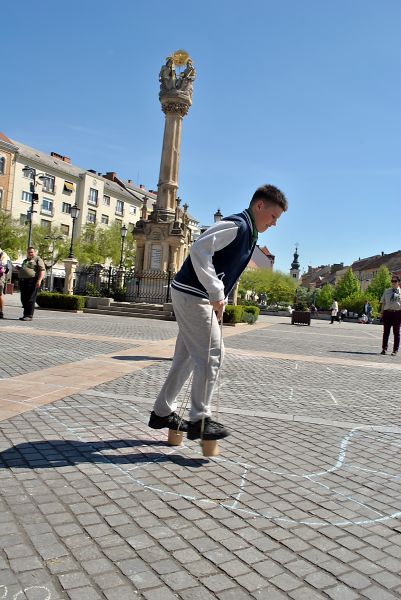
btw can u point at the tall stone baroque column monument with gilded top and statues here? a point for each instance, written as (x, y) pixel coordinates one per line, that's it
(163, 237)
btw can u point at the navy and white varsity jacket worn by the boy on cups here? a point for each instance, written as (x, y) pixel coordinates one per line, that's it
(217, 258)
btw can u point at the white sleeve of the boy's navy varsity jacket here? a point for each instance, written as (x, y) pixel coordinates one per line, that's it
(215, 238)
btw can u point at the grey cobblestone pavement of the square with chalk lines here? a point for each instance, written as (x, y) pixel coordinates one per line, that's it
(304, 501)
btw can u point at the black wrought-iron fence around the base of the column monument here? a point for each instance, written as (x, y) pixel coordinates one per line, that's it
(123, 286)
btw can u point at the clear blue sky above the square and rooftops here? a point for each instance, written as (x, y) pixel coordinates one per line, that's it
(302, 94)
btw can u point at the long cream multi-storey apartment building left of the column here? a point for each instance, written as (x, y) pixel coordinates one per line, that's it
(60, 185)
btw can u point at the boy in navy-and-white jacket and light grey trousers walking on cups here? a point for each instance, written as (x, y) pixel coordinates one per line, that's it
(199, 291)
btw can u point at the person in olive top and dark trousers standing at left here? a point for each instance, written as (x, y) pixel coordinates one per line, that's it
(30, 277)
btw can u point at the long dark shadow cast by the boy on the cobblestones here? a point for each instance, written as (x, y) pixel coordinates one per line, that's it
(63, 453)
